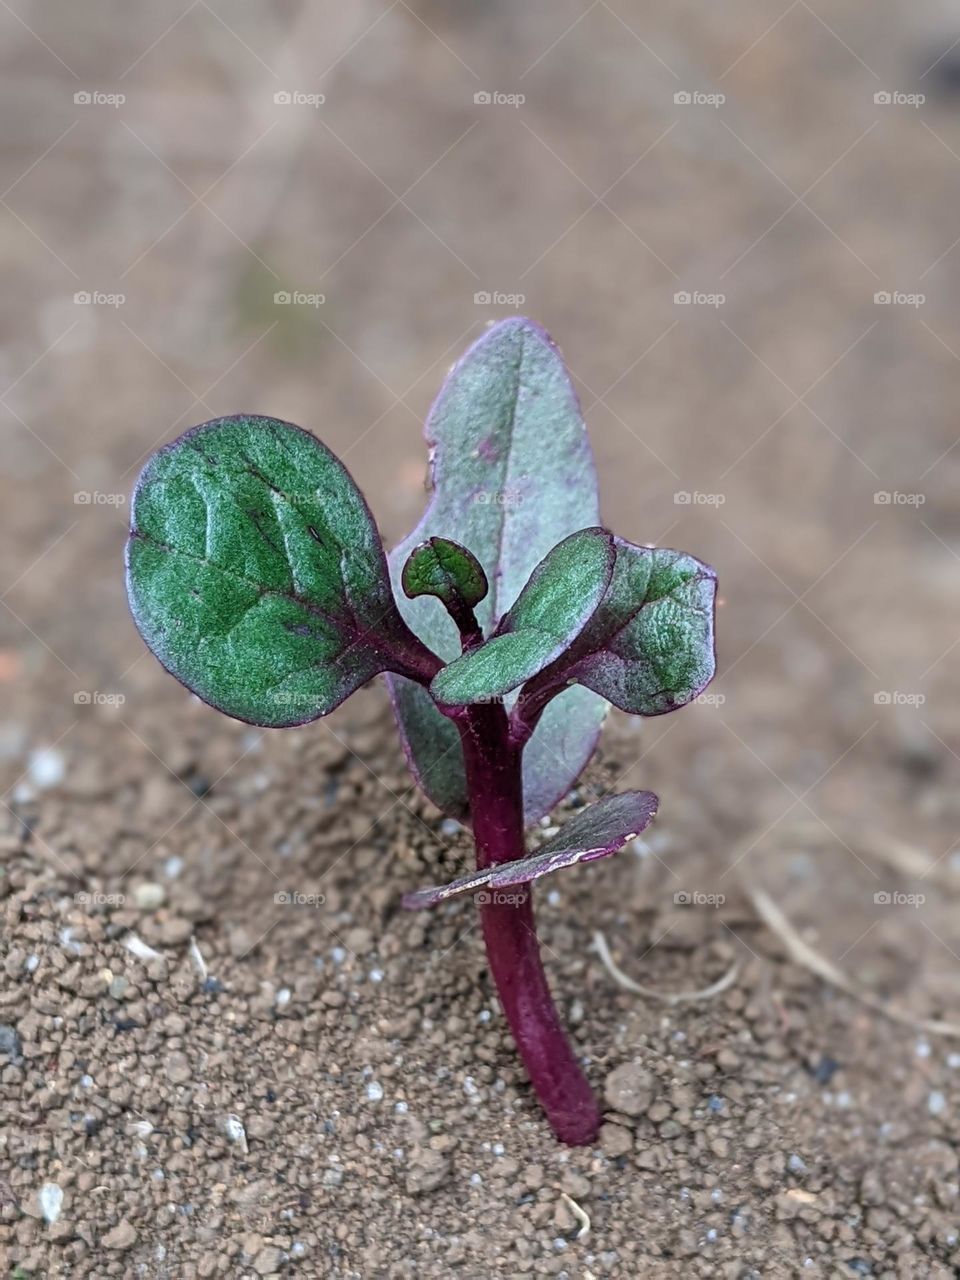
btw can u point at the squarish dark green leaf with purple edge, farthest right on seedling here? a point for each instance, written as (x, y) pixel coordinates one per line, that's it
(650, 648)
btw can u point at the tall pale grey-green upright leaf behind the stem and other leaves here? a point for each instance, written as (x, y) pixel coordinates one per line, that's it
(511, 474)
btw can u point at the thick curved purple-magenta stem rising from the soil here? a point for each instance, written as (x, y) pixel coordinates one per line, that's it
(496, 787)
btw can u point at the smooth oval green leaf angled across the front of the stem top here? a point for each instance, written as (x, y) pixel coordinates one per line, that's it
(550, 614)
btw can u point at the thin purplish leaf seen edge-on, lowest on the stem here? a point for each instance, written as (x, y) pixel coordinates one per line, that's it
(598, 831)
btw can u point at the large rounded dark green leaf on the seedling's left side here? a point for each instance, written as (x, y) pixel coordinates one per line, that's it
(257, 575)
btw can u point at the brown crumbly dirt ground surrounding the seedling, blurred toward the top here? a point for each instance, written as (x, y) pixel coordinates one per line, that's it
(330, 1091)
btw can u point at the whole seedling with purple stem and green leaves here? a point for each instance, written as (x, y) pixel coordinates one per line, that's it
(505, 624)
